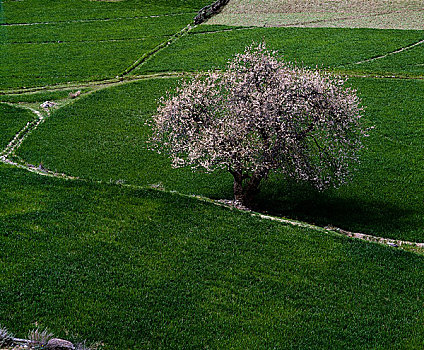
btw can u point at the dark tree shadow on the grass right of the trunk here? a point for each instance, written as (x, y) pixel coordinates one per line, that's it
(354, 212)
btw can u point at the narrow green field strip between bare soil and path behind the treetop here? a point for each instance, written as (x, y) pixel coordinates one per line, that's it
(336, 49)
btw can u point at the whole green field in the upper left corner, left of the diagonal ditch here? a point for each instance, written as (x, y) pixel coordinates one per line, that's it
(77, 47)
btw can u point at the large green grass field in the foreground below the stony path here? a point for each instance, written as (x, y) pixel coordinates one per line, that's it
(141, 269)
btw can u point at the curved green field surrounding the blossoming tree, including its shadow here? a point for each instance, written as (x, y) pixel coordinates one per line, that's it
(103, 137)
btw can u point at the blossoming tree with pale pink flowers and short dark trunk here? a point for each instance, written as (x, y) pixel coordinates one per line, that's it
(261, 115)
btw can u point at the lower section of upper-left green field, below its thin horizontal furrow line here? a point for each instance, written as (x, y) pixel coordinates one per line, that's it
(44, 64)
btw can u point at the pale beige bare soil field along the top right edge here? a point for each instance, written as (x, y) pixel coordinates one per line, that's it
(382, 14)
